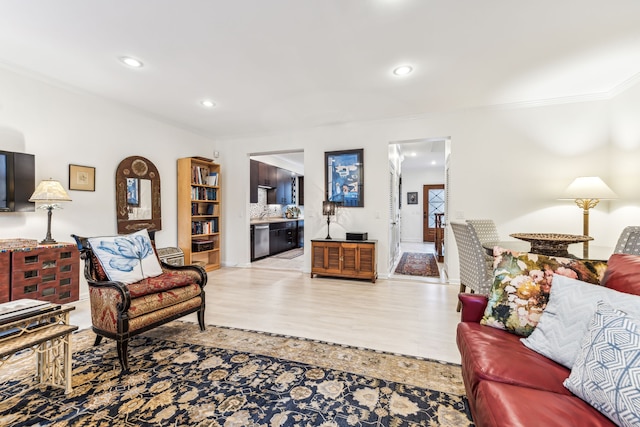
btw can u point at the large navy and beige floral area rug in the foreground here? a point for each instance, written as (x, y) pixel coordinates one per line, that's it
(229, 377)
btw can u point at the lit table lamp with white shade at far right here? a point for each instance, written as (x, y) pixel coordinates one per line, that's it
(587, 191)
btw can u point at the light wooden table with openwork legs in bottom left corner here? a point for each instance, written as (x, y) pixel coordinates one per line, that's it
(44, 328)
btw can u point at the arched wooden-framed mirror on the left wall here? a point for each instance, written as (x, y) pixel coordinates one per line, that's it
(137, 195)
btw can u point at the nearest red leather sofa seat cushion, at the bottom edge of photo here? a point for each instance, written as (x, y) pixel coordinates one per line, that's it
(499, 405)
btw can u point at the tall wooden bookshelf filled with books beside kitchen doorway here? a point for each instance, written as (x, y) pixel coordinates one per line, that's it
(199, 211)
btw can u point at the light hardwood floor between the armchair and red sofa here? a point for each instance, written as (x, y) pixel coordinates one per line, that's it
(402, 314)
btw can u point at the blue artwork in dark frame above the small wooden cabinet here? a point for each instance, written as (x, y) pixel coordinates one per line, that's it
(344, 177)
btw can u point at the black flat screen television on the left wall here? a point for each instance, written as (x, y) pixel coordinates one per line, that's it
(17, 181)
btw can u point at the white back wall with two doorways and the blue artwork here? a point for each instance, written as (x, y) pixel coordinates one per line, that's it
(509, 164)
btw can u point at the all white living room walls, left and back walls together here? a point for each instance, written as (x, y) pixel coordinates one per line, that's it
(508, 164)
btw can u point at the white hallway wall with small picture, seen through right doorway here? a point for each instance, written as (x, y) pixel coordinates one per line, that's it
(412, 181)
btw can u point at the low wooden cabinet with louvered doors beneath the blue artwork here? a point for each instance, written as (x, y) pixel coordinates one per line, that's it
(344, 258)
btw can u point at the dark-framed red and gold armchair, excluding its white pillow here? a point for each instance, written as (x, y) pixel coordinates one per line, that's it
(120, 311)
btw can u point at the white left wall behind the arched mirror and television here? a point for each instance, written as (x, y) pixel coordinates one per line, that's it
(61, 127)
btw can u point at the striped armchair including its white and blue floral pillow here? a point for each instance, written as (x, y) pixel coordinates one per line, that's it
(131, 291)
